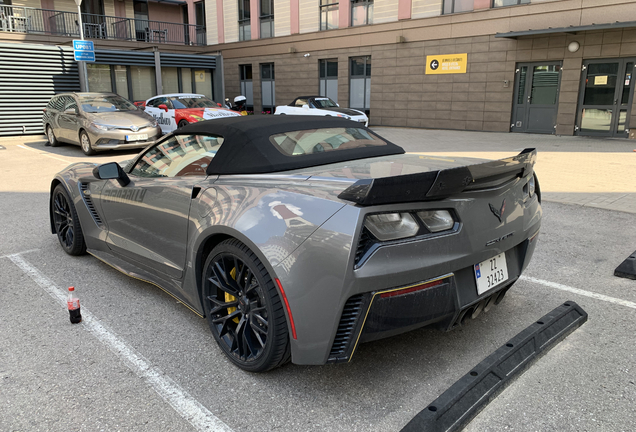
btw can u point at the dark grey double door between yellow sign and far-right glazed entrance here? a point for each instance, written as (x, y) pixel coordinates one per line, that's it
(535, 99)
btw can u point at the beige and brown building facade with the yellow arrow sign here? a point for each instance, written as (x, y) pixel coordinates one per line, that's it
(553, 66)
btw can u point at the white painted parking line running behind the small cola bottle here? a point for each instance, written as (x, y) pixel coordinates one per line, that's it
(188, 407)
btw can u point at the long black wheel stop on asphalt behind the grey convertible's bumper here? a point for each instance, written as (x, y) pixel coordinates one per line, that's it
(468, 396)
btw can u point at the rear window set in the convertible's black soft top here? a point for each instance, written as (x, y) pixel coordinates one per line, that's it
(313, 141)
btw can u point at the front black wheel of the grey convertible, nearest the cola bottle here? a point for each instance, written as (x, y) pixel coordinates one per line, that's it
(66, 221)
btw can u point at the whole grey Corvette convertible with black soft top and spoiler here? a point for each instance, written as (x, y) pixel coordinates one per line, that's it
(300, 238)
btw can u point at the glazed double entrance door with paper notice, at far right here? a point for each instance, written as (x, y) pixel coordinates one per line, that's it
(606, 97)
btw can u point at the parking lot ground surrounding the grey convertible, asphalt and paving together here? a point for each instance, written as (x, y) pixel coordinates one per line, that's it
(143, 362)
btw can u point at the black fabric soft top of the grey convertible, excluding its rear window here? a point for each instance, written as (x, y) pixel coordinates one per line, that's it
(247, 149)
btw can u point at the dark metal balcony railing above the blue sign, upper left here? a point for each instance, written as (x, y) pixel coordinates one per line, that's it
(19, 19)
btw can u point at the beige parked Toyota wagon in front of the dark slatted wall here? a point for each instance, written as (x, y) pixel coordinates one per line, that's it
(97, 122)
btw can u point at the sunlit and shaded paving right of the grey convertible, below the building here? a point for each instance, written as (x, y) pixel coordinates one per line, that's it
(590, 172)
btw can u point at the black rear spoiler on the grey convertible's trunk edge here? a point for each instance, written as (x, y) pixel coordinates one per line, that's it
(435, 185)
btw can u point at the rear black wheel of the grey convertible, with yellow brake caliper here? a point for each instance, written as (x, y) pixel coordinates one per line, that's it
(243, 308)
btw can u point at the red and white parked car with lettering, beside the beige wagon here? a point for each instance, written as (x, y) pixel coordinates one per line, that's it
(176, 110)
